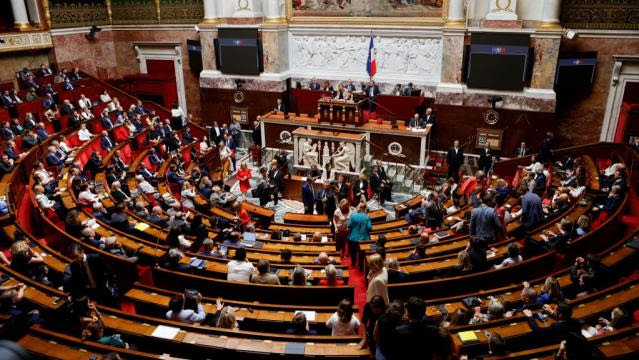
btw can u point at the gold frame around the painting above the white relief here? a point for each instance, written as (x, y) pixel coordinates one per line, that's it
(367, 20)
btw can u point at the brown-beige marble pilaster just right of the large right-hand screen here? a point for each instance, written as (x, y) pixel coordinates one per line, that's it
(546, 55)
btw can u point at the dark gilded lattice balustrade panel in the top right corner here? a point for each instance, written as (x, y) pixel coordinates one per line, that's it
(600, 14)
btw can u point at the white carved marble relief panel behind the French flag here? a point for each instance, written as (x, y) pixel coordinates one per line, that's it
(398, 59)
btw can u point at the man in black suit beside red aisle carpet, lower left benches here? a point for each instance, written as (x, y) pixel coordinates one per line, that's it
(88, 275)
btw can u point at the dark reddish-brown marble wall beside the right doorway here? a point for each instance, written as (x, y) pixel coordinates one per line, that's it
(579, 122)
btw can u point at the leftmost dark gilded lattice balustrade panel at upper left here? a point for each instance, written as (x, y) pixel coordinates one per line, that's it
(75, 13)
